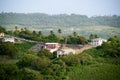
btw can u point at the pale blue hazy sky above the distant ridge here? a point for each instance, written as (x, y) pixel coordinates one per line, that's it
(83, 7)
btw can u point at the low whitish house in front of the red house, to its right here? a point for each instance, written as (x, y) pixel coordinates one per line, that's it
(65, 52)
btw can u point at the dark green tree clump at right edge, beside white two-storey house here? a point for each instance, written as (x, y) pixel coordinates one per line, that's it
(110, 48)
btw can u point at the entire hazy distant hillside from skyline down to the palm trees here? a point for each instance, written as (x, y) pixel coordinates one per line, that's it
(108, 25)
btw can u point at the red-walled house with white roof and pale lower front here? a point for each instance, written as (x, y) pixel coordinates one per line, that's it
(52, 46)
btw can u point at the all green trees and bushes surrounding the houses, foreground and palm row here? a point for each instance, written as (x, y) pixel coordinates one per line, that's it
(101, 63)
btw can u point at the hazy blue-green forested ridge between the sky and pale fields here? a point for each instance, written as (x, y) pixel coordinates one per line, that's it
(62, 20)
